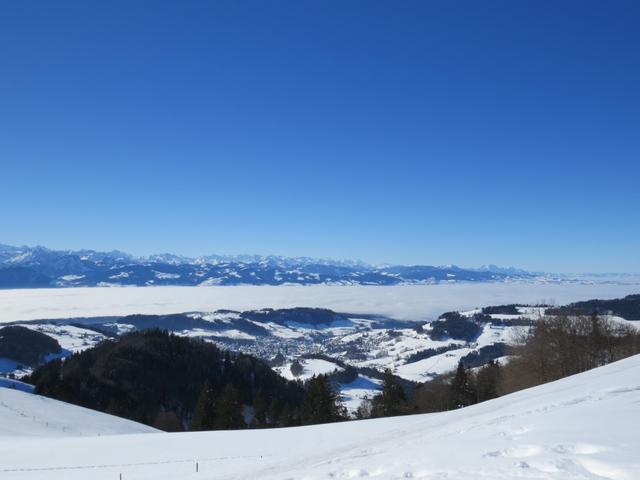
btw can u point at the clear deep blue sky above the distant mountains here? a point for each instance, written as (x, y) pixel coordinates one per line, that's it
(409, 132)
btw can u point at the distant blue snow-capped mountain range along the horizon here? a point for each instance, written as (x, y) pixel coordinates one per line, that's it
(35, 267)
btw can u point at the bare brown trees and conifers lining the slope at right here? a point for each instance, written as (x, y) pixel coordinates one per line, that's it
(555, 347)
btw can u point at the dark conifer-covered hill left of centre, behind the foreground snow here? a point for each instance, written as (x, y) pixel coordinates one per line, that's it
(176, 383)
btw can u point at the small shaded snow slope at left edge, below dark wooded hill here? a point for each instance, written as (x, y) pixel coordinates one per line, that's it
(25, 414)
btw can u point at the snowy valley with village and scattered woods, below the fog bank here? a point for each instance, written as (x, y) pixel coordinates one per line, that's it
(354, 348)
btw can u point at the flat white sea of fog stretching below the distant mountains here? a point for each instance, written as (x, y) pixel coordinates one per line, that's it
(409, 302)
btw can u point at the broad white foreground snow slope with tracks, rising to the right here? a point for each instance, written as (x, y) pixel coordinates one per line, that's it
(584, 427)
